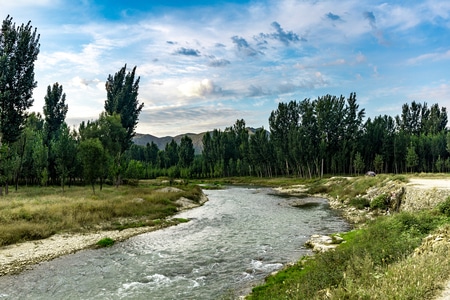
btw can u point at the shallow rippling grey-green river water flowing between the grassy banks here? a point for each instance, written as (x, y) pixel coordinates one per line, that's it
(232, 242)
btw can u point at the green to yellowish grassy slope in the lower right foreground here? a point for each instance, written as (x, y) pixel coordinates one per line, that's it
(371, 256)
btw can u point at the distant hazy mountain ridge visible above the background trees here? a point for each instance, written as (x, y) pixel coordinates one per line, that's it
(161, 142)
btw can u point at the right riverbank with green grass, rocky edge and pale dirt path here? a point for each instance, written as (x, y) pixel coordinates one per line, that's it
(420, 271)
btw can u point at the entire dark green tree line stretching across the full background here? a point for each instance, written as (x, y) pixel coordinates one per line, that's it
(308, 138)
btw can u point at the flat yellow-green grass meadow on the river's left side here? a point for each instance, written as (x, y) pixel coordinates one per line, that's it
(34, 213)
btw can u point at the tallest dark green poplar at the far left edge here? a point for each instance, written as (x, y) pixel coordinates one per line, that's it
(19, 47)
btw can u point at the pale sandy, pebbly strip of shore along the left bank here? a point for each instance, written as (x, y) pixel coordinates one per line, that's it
(21, 256)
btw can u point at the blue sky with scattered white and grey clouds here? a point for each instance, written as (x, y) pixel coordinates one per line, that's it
(205, 64)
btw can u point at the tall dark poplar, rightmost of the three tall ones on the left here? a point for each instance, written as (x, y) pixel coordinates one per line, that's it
(122, 92)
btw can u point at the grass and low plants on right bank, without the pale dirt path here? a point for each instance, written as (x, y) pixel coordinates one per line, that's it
(395, 256)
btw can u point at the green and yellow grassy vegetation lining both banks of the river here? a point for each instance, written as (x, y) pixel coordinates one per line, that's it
(384, 258)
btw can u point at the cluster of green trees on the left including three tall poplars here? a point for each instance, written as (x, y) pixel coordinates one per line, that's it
(44, 150)
